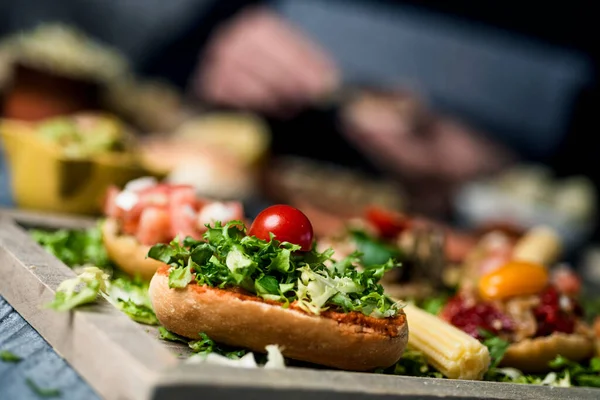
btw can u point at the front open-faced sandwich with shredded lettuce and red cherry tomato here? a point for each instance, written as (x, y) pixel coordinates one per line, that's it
(269, 285)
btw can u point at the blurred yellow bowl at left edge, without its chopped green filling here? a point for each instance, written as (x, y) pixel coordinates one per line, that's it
(43, 178)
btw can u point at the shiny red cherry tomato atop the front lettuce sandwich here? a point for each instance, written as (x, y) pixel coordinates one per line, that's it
(287, 223)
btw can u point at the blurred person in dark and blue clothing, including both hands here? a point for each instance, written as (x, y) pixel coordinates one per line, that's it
(523, 86)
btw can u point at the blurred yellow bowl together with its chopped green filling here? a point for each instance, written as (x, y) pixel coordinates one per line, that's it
(66, 164)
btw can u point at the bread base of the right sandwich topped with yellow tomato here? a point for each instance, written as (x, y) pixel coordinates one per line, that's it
(533, 355)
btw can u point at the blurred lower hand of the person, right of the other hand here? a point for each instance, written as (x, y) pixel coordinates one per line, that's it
(431, 155)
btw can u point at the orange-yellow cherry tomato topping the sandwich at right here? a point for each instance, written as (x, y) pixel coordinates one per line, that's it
(515, 278)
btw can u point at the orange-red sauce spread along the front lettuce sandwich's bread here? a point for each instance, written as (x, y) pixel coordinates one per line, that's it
(386, 326)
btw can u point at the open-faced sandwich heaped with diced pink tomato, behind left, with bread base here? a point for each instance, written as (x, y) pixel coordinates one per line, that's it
(147, 212)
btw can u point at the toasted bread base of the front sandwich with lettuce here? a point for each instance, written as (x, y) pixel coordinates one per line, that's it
(248, 321)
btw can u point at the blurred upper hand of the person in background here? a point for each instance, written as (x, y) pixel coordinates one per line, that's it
(258, 62)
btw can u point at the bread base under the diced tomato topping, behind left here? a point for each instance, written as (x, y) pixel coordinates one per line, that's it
(125, 251)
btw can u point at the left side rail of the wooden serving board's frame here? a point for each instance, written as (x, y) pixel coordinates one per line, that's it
(110, 351)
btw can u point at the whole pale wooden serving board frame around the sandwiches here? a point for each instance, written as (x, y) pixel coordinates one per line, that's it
(124, 360)
